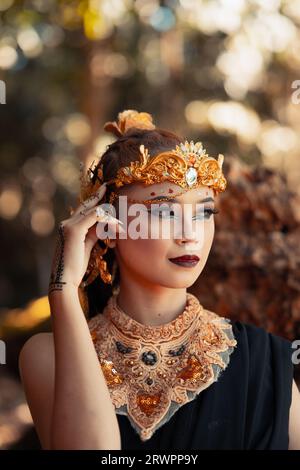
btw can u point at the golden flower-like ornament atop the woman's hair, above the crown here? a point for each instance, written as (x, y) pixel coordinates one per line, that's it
(127, 119)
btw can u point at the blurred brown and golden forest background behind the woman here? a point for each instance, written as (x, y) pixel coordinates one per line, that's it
(221, 71)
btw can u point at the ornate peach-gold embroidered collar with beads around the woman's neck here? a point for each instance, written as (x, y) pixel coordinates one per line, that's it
(151, 371)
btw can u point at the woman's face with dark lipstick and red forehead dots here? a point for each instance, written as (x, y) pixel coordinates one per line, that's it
(148, 259)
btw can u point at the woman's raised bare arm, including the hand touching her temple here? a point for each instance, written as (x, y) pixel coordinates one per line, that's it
(83, 415)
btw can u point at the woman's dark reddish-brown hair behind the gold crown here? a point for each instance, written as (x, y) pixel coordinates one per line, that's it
(121, 153)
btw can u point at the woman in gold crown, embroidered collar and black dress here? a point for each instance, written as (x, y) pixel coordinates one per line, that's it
(172, 374)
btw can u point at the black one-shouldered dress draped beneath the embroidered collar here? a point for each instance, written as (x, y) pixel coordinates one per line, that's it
(246, 408)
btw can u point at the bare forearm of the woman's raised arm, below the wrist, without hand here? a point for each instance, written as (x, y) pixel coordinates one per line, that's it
(83, 413)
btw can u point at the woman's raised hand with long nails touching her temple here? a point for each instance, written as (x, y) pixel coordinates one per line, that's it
(76, 238)
